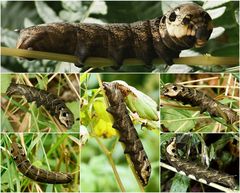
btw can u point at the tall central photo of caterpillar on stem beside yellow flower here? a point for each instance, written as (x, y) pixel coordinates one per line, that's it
(121, 115)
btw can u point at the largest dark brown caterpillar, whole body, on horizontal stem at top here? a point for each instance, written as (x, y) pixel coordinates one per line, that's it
(165, 37)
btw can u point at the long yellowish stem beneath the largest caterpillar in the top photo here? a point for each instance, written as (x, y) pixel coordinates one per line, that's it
(204, 60)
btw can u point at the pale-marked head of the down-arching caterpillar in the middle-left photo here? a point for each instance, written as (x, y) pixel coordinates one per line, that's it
(66, 117)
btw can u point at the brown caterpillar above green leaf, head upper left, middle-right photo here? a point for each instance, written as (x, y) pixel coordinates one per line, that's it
(196, 98)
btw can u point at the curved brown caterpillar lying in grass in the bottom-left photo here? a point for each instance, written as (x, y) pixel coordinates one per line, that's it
(34, 173)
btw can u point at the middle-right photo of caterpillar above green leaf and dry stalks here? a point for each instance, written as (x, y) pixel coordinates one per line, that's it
(199, 103)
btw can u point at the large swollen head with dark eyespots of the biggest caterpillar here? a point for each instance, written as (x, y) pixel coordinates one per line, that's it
(187, 25)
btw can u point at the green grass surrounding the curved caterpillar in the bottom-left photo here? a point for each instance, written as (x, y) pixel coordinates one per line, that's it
(47, 151)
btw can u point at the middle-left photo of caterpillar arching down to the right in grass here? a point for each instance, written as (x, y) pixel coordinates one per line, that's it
(40, 102)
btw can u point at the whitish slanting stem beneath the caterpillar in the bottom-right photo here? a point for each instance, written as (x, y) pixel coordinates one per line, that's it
(214, 185)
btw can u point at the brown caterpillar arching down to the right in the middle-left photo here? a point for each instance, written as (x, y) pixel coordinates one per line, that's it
(50, 101)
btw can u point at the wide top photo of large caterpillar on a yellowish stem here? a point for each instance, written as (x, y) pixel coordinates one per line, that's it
(113, 36)
